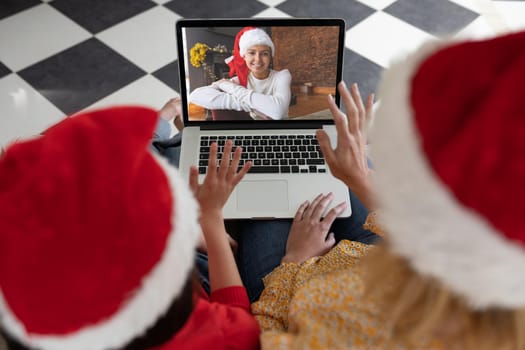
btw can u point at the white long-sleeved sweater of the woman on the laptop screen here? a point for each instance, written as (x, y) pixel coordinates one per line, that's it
(270, 96)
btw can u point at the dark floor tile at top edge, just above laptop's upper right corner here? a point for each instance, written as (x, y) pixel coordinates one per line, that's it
(351, 11)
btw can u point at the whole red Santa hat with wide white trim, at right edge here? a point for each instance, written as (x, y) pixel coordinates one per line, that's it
(449, 152)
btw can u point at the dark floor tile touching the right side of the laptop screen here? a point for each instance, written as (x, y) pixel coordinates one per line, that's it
(362, 71)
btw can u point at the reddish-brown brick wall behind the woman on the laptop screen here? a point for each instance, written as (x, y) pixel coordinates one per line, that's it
(308, 53)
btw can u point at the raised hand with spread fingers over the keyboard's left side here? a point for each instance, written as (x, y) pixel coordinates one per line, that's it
(220, 180)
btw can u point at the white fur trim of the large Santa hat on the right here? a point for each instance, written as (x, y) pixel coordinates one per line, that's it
(426, 224)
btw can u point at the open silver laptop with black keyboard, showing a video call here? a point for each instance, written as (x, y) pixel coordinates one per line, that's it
(278, 137)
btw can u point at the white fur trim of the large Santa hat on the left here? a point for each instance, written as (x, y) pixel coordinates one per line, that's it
(153, 298)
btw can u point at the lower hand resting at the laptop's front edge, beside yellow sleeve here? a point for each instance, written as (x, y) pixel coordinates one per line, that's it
(309, 235)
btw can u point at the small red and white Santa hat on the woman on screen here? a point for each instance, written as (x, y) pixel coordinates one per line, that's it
(246, 38)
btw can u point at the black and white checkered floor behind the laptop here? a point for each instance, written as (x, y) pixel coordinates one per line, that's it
(61, 56)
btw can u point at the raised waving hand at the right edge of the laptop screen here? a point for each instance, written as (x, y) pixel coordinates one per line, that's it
(348, 161)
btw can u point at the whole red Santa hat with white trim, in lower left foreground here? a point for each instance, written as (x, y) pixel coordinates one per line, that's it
(97, 233)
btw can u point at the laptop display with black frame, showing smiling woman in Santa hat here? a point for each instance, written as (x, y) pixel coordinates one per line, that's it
(257, 70)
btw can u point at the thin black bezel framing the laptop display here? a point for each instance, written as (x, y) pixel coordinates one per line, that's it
(256, 22)
